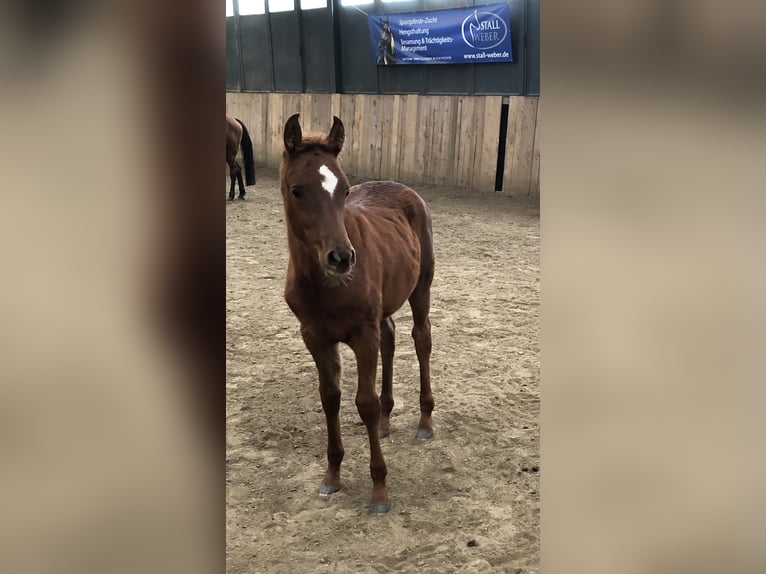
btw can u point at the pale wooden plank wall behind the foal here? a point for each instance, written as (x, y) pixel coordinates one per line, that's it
(439, 140)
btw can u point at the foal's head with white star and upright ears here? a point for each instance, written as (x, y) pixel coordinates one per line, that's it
(314, 190)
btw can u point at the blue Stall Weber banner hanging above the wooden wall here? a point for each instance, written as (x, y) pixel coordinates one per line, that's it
(479, 34)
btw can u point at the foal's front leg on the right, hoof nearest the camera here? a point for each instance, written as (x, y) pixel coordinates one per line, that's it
(366, 346)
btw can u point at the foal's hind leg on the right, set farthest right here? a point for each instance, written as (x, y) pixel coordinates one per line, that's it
(420, 302)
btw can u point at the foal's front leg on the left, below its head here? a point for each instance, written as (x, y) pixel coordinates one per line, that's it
(327, 360)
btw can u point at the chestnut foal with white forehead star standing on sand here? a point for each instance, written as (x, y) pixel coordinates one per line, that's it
(356, 255)
